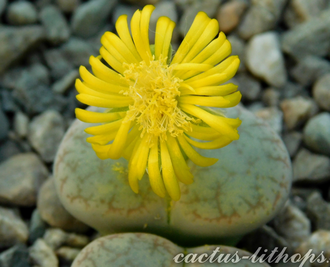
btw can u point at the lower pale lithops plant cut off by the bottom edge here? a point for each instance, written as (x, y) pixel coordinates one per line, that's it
(147, 250)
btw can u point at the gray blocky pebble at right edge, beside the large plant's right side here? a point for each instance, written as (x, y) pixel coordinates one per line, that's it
(310, 167)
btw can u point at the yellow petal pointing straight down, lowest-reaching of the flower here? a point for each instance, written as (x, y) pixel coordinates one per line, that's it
(170, 181)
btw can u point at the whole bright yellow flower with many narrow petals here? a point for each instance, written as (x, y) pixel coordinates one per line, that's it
(158, 106)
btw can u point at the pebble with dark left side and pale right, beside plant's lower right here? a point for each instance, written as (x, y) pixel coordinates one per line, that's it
(292, 224)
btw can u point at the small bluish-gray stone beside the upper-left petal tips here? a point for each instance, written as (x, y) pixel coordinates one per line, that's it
(78, 52)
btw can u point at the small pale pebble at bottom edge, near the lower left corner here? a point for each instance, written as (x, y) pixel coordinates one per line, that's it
(42, 255)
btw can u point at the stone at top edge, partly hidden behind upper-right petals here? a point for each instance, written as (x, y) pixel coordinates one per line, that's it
(210, 7)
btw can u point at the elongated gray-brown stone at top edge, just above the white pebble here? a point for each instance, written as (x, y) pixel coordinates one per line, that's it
(262, 16)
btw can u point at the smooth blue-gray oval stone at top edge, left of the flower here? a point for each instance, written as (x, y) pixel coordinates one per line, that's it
(90, 17)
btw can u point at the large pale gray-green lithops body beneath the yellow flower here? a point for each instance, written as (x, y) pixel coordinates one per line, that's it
(243, 190)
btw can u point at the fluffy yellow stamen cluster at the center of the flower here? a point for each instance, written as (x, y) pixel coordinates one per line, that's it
(155, 91)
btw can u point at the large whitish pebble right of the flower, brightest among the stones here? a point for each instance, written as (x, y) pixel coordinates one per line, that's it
(265, 60)
